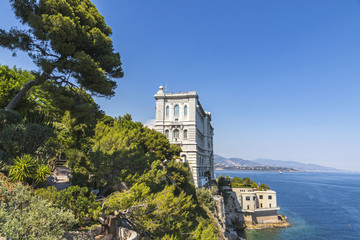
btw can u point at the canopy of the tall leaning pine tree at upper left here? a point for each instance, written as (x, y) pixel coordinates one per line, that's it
(66, 39)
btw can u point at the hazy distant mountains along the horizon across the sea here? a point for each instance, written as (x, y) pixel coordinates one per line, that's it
(239, 162)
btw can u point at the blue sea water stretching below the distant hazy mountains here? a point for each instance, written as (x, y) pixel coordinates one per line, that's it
(318, 205)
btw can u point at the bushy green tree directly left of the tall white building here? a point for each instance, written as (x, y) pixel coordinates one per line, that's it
(125, 148)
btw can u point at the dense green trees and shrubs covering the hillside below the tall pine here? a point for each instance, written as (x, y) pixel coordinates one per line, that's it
(135, 169)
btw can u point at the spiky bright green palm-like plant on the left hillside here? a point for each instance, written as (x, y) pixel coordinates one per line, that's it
(28, 170)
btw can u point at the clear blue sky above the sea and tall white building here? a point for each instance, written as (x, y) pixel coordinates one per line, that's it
(281, 78)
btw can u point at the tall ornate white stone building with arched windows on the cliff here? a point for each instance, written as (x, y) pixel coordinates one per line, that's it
(184, 122)
